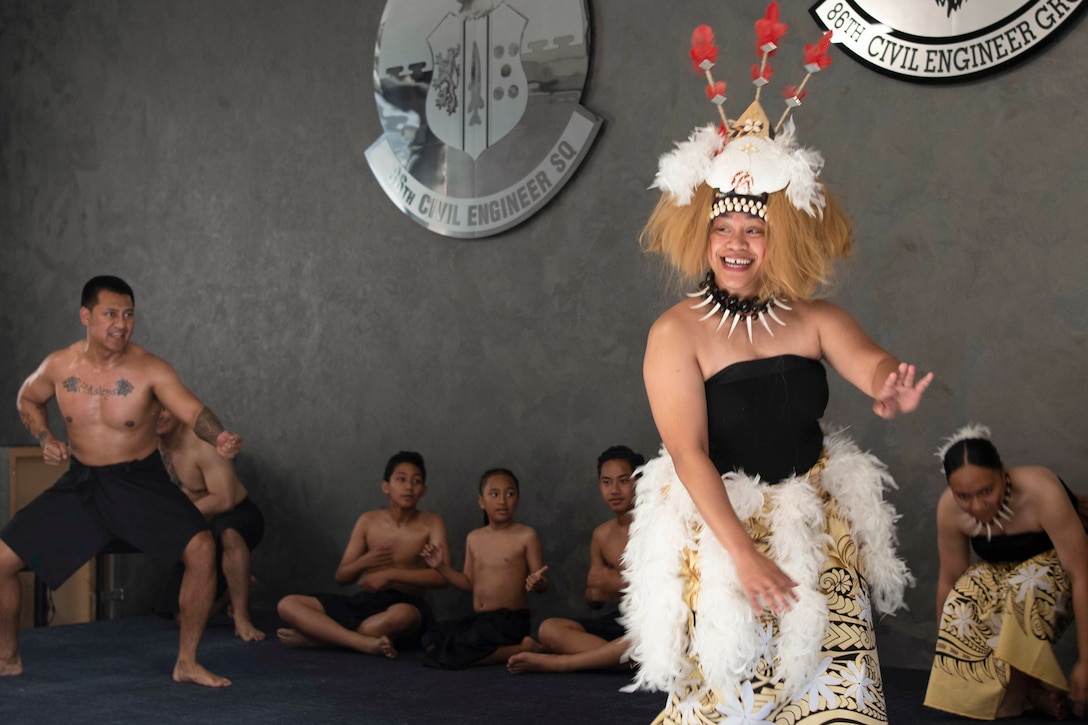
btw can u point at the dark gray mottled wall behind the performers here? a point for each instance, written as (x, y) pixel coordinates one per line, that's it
(213, 154)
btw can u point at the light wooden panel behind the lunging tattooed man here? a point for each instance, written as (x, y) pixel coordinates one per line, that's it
(29, 476)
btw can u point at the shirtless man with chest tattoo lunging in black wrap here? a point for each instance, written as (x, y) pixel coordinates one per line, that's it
(109, 391)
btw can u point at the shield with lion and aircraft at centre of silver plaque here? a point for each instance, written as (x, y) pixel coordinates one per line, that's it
(479, 90)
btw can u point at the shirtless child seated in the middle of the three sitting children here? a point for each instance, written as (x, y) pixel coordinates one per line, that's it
(503, 562)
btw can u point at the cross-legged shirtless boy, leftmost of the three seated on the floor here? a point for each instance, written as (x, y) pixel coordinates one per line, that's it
(384, 559)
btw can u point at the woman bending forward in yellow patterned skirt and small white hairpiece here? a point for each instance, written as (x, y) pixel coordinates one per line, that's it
(1000, 617)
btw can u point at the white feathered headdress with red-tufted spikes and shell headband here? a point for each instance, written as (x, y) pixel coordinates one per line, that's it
(747, 159)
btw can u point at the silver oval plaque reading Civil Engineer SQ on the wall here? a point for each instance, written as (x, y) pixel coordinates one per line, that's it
(480, 109)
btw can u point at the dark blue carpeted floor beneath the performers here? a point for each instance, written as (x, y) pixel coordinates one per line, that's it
(119, 672)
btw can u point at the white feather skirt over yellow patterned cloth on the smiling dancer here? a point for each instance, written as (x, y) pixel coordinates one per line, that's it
(691, 631)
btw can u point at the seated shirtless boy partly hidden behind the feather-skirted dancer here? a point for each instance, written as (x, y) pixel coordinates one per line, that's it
(595, 644)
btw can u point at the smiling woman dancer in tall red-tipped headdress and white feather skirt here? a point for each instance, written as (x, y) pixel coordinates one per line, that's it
(760, 546)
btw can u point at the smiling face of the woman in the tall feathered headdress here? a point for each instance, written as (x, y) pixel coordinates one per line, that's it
(736, 249)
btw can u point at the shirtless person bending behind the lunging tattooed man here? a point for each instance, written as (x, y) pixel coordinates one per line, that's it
(237, 523)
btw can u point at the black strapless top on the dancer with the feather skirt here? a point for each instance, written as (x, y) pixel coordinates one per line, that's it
(764, 416)
